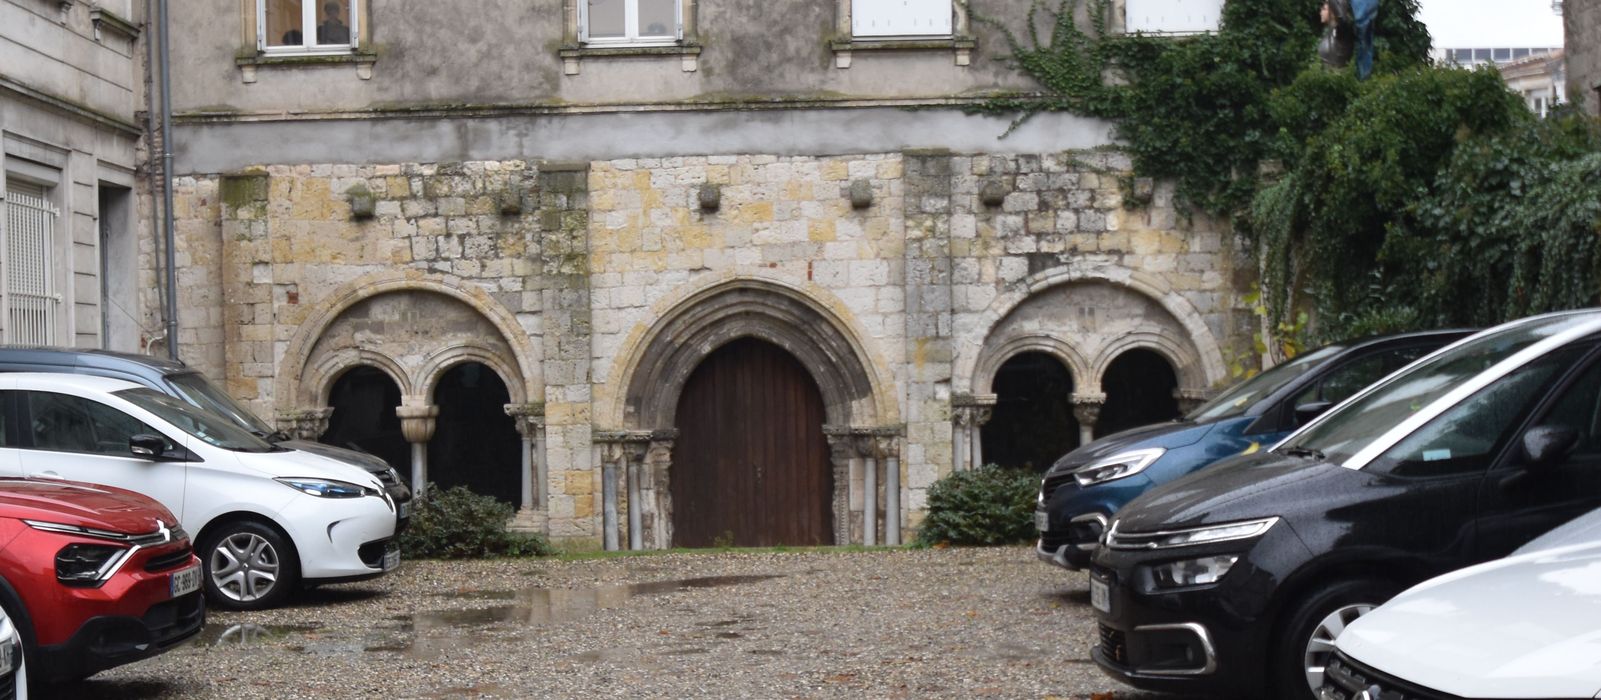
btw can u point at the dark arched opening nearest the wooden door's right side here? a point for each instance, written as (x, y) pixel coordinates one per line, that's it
(1032, 424)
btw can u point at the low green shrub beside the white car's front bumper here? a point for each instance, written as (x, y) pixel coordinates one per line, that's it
(460, 525)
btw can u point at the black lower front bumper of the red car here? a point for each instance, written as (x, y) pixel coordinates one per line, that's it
(114, 640)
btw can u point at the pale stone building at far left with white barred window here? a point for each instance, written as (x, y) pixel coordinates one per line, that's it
(71, 102)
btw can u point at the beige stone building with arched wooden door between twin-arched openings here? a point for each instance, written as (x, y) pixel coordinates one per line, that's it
(673, 273)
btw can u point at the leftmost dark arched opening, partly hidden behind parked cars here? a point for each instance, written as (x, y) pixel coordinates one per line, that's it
(364, 403)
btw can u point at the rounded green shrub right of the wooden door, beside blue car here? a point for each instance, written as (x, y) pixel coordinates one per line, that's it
(982, 507)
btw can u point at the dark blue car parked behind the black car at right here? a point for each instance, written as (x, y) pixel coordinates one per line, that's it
(1086, 486)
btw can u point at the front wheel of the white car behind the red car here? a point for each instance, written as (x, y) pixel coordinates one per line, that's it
(247, 566)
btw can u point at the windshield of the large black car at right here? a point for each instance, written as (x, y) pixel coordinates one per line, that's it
(1352, 427)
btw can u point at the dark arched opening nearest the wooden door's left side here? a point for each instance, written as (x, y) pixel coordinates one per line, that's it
(476, 445)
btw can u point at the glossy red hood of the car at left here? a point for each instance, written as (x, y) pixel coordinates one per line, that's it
(82, 505)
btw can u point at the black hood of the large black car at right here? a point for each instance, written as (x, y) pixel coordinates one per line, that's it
(1240, 488)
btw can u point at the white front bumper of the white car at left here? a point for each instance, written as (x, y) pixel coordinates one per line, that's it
(334, 534)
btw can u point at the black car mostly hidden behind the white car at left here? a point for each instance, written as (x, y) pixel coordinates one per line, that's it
(183, 382)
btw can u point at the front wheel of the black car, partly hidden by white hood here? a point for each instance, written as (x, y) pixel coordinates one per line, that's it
(1306, 638)
